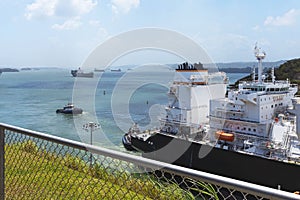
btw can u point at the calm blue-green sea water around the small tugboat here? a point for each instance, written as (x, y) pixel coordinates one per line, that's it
(29, 99)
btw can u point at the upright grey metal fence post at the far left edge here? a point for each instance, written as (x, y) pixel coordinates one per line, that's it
(2, 164)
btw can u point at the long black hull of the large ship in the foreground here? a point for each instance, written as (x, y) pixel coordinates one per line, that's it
(249, 168)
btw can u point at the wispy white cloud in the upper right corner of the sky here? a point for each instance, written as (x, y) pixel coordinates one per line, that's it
(287, 19)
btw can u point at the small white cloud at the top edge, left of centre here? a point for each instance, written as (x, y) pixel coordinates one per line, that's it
(124, 6)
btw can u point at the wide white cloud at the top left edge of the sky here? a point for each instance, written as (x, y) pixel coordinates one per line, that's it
(66, 8)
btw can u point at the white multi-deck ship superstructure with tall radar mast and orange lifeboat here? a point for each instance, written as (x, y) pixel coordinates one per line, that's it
(255, 119)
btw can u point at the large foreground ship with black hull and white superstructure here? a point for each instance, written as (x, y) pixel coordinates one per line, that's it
(251, 135)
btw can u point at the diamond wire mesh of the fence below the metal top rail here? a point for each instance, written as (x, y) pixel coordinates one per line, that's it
(41, 169)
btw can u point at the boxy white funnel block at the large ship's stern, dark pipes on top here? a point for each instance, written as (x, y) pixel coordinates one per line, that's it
(189, 96)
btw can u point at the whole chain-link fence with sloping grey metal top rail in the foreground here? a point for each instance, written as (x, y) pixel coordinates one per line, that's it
(35, 165)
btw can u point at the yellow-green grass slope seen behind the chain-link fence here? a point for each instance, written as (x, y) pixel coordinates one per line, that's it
(32, 173)
